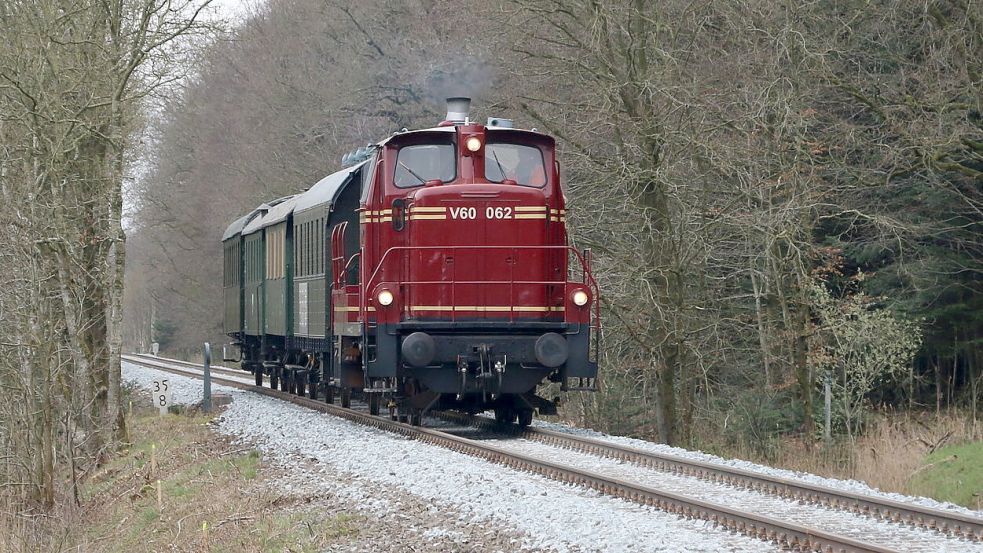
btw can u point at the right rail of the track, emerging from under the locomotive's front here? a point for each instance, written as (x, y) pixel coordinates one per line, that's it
(949, 523)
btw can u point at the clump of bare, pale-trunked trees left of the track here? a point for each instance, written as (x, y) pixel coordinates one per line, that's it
(72, 76)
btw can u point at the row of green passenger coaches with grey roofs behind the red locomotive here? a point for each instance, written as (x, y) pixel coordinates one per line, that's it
(278, 277)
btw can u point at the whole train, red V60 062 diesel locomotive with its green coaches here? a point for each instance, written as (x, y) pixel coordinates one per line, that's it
(433, 271)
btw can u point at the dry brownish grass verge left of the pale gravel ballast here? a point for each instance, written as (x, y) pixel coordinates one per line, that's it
(203, 479)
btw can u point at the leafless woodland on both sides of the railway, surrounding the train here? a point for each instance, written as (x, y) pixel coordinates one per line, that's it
(781, 198)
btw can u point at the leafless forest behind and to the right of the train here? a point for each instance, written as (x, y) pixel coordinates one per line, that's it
(778, 196)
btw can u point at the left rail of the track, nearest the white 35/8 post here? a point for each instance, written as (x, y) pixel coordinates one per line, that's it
(785, 534)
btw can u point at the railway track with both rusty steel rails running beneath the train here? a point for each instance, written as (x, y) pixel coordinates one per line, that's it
(789, 535)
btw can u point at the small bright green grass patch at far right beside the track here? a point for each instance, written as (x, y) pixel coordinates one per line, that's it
(954, 474)
